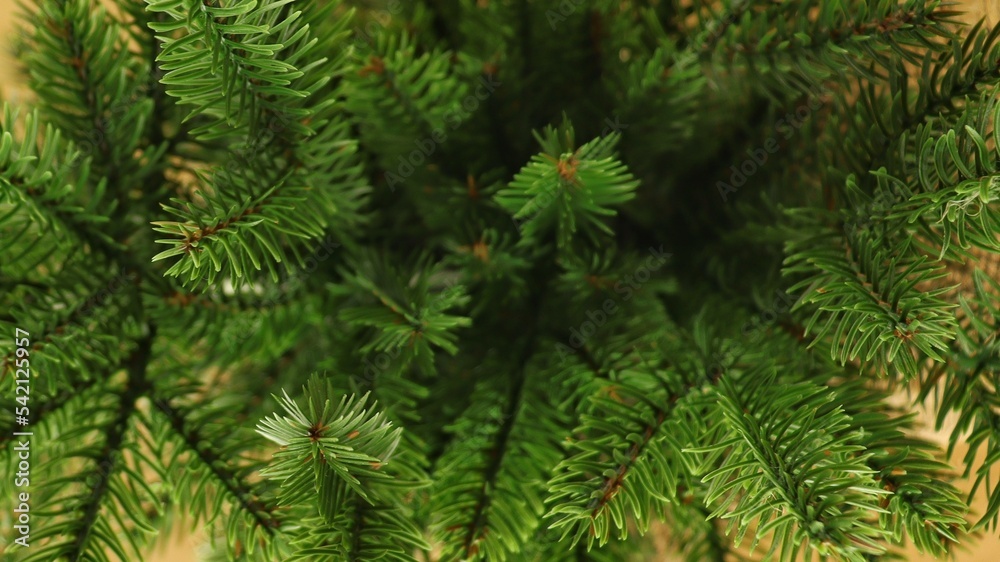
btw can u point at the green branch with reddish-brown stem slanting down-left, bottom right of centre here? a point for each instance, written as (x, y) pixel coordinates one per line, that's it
(623, 460)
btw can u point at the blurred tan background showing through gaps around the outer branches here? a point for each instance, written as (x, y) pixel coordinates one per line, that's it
(183, 546)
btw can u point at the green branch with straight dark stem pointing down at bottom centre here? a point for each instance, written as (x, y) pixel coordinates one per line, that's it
(488, 507)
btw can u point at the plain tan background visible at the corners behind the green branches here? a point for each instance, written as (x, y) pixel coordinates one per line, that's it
(183, 548)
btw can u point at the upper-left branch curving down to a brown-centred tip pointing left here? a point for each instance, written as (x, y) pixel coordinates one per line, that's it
(249, 220)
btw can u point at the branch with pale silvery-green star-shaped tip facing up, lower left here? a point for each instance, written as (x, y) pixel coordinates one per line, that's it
(334, 456)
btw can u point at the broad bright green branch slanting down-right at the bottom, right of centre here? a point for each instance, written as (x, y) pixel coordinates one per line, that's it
(803, 484)
